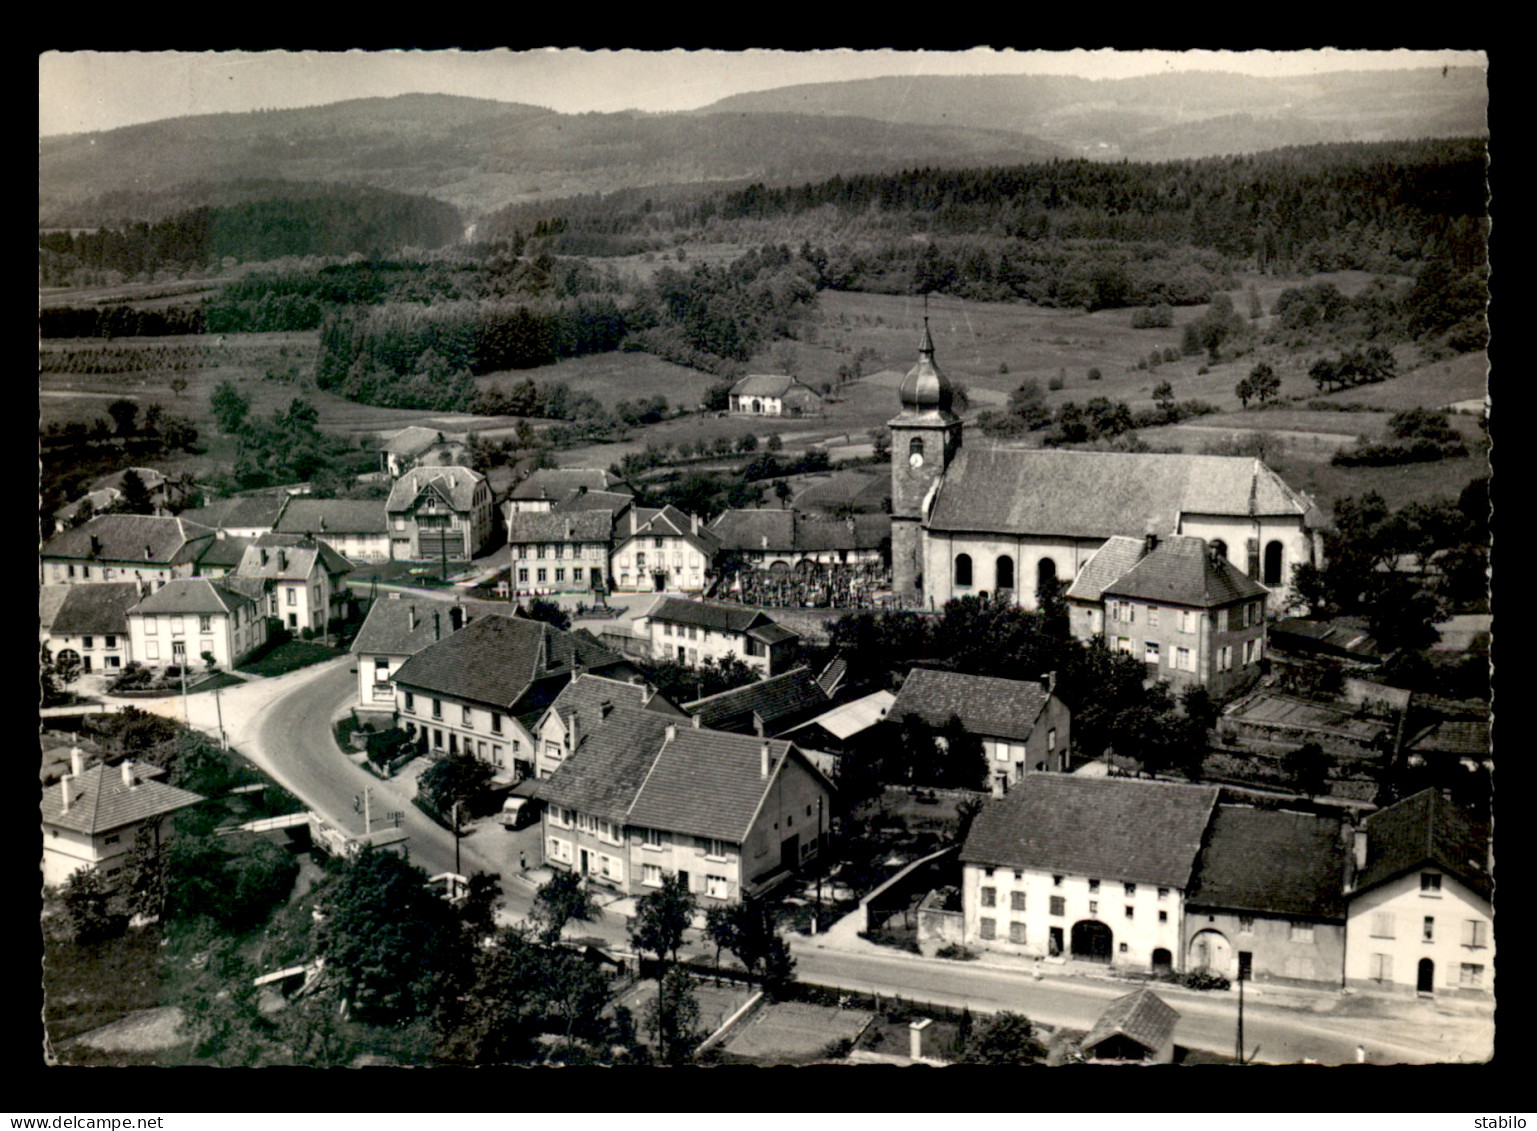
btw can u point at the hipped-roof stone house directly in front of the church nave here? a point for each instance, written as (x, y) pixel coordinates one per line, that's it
(1178, 606)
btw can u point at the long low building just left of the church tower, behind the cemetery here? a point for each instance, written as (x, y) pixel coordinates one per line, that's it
(778, 540)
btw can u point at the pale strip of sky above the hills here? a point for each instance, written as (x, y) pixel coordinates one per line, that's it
(91, 91)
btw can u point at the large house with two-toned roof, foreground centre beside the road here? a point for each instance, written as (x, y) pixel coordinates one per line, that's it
(646, 797)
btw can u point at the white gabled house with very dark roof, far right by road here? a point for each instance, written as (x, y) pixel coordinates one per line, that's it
(1419, 914)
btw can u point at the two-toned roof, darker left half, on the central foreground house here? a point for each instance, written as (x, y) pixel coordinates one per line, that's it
(700, 783)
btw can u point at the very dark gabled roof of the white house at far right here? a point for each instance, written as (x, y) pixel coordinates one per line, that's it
(1426, 829)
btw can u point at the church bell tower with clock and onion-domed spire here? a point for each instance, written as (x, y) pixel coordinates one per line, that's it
(925, 440)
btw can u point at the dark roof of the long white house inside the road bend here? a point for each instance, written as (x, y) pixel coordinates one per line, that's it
(497, 660)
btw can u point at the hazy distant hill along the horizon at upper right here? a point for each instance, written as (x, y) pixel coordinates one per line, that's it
(1155, 118)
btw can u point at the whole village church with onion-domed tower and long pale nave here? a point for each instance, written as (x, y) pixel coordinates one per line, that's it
(1003, 520)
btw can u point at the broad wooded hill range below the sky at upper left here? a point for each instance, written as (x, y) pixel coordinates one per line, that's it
(480, 156)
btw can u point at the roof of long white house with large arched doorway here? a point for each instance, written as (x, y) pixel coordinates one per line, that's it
(1120, 829)
